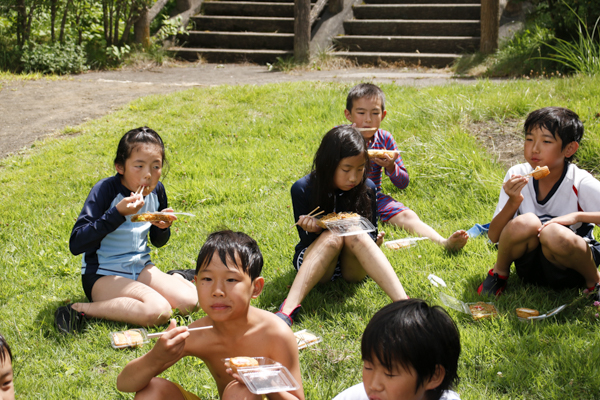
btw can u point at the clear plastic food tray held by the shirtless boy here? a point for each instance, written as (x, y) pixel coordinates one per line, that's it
(268, 377)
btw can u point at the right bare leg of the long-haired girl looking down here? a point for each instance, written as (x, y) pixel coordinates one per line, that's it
(361, 257)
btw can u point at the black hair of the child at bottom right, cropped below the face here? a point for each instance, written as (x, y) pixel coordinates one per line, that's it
(410, 333)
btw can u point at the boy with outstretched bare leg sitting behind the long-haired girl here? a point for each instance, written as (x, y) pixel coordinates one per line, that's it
(365, 108)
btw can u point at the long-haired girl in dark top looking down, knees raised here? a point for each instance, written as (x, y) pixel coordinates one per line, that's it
(337, 183)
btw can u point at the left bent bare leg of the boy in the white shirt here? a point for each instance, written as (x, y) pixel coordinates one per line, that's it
(518, 238)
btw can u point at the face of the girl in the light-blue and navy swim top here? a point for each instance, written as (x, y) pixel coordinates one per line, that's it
(142, 168)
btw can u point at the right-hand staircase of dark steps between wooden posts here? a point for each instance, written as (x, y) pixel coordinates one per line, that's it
(431, 33)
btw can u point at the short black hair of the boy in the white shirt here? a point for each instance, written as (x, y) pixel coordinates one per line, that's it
(558, 121)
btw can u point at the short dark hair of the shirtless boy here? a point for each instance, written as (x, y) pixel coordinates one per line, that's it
(228, 245)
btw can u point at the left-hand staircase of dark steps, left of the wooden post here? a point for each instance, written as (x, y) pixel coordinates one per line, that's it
(256, 31)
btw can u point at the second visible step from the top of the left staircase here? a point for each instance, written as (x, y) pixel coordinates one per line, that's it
(243, 24)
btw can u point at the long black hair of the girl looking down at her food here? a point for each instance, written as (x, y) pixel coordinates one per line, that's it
(339, 143)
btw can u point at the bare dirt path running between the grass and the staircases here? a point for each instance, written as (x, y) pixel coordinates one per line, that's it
(30, 110)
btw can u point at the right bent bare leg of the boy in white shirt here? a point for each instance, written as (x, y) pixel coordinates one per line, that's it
(562, 247)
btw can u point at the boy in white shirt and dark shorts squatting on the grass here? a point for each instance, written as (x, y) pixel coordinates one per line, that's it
(546, 226)
